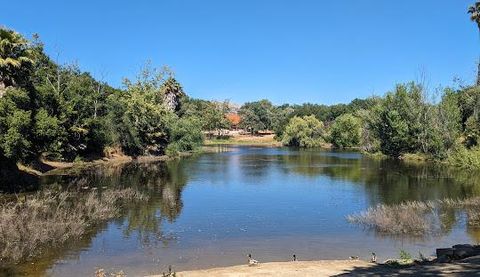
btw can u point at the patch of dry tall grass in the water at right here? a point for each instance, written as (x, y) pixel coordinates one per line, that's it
(415, 217)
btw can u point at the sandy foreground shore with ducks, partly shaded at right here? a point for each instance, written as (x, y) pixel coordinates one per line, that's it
(467, 267)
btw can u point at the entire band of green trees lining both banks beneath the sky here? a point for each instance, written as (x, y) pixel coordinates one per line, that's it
(58, 112)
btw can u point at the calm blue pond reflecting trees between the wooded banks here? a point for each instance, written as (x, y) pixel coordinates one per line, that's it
(213, 209)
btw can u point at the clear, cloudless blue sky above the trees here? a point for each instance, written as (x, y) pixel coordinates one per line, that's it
(287, 51)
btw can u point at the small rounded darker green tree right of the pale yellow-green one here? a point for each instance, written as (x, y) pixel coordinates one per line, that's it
(345, 131)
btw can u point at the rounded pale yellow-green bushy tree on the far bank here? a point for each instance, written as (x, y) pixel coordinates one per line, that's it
(305, 131)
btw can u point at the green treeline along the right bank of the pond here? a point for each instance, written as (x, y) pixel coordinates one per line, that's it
(404, 121)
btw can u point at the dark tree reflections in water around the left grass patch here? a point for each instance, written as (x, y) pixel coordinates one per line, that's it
(162, 181)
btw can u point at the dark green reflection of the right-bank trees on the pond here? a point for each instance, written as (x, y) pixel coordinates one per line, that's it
(386, 181)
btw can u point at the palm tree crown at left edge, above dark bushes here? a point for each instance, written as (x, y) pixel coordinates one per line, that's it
(15, 58)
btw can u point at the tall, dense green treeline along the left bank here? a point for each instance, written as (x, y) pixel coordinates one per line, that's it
(58, 112)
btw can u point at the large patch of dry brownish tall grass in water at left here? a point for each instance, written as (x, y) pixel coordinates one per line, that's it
(49, 219)
